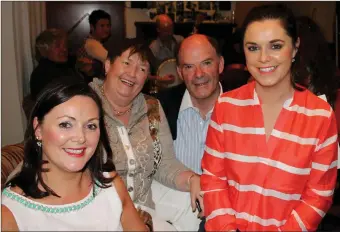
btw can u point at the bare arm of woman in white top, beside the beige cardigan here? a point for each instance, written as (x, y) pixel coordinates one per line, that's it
(130, 219)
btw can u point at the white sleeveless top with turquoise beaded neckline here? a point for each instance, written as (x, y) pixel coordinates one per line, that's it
(93, 213)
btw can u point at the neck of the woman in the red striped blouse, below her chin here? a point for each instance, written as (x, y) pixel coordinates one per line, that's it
(277, 94)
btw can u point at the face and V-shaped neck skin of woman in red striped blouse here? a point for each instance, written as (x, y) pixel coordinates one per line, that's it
(267, 45)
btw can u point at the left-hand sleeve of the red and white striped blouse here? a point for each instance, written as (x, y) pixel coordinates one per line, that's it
(217, 206)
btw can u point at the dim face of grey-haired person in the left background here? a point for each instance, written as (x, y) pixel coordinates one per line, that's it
(57, 51)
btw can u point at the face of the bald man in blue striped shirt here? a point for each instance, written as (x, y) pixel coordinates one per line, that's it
(199, 67)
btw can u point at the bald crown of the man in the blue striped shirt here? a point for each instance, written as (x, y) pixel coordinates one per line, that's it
(197, 40)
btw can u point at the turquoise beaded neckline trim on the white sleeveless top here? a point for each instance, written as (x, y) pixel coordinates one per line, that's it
(48, 208)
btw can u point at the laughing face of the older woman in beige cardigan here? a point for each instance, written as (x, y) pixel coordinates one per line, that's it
(126, 76)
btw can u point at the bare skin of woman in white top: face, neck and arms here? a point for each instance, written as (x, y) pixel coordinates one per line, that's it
(72, 124)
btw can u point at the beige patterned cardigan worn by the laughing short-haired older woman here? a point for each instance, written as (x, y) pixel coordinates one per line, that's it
(142, 145)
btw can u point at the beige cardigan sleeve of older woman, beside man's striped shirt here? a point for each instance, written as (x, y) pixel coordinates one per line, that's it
(170, 167)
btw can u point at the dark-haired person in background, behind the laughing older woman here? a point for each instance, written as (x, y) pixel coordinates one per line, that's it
(92, 55)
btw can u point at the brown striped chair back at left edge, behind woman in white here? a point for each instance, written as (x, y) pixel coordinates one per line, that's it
(11, 156)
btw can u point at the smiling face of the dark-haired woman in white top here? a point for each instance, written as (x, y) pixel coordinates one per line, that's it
(69, 134)
